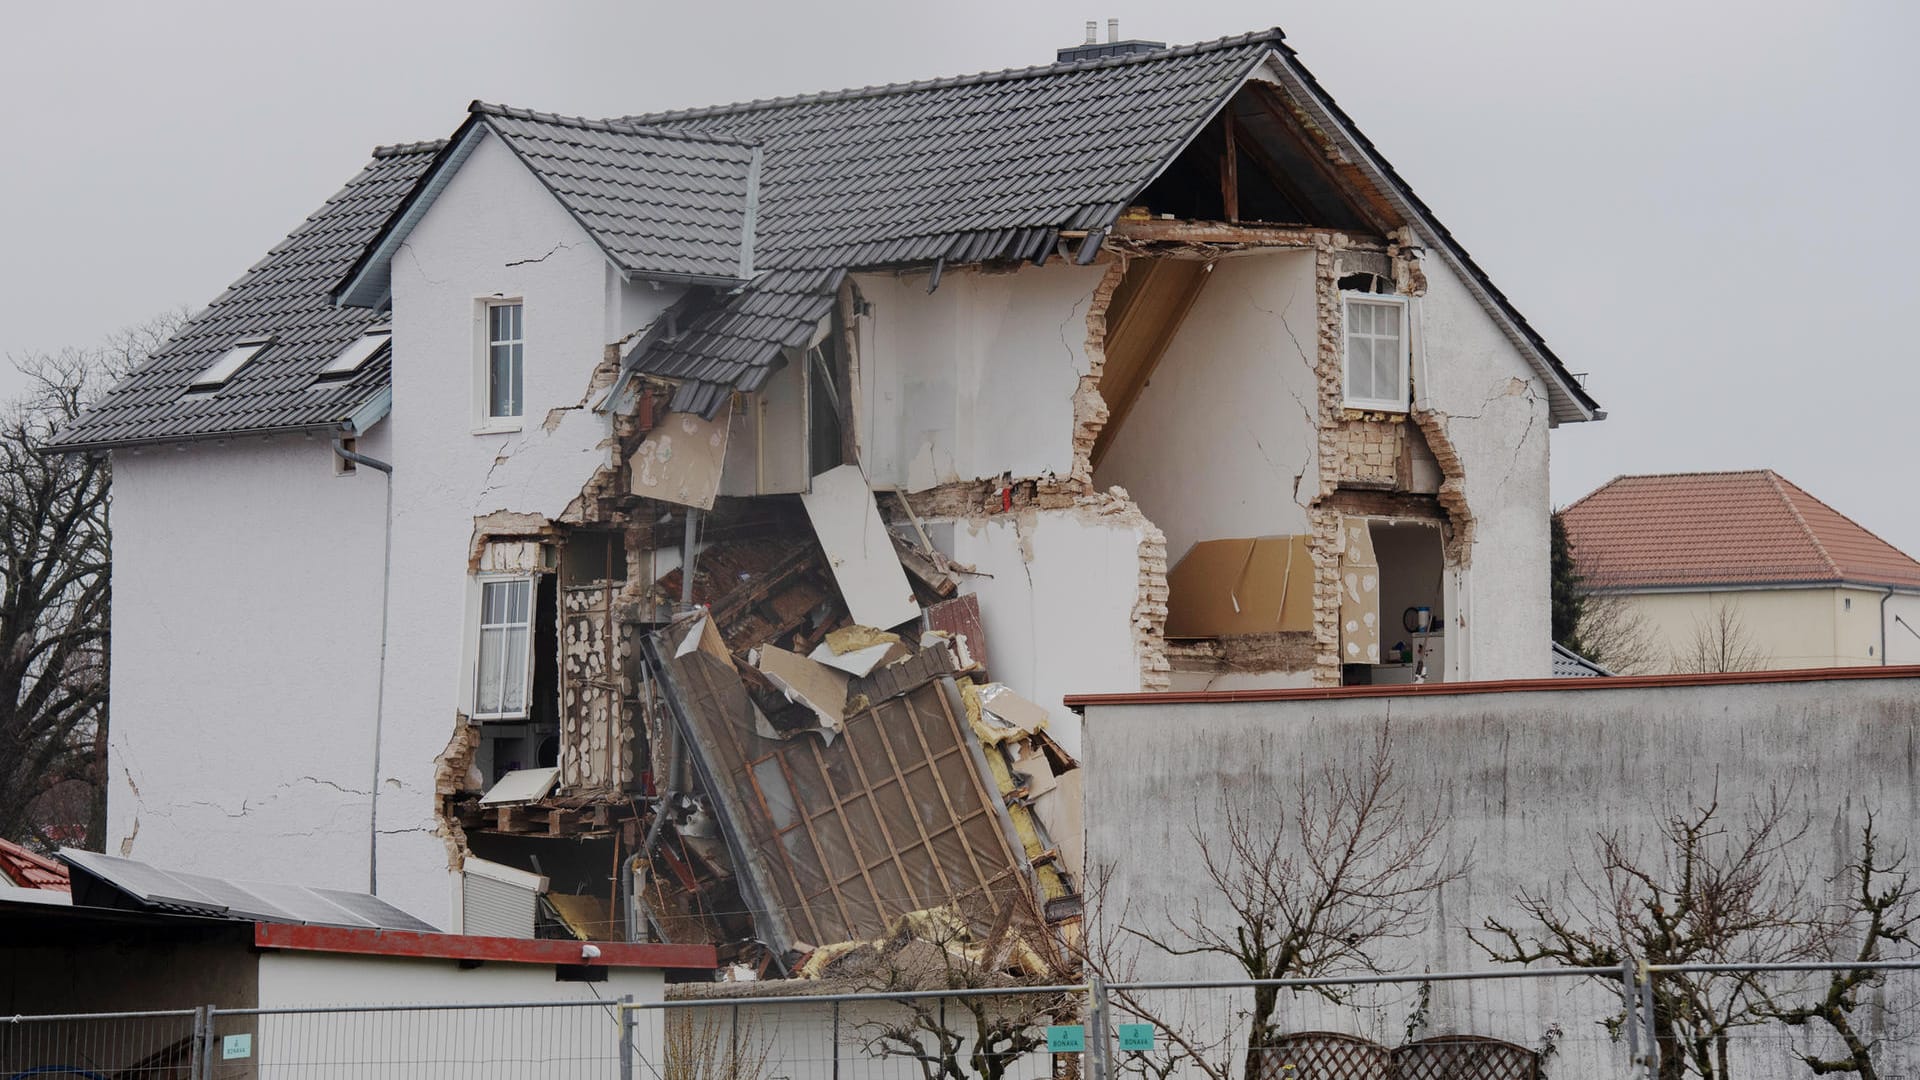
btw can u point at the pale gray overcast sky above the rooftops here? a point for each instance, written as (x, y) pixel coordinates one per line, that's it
(1698, 205)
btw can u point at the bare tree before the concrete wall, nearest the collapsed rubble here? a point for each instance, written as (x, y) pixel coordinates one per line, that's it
(1318, 887)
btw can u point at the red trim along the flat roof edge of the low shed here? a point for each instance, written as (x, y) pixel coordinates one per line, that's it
(475, 948)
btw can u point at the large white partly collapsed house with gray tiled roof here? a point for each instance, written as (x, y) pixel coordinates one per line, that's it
(1161, 374)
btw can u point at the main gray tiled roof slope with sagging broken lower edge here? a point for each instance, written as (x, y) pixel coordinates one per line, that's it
(961, 170)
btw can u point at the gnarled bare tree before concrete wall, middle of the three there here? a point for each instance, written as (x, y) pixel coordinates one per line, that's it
(1704, 895)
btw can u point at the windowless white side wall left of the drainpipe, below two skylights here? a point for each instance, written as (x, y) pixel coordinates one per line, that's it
(247, 604)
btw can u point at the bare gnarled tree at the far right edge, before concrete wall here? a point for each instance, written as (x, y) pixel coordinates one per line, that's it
(1879, 914)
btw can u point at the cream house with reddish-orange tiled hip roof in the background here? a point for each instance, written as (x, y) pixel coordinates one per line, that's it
(1746, 572)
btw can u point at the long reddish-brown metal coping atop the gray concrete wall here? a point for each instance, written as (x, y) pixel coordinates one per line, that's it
(1078, 702)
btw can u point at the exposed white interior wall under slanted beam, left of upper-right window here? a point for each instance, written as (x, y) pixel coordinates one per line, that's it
(1222, 441)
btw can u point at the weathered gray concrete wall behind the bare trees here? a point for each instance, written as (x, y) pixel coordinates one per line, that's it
(1524, 779)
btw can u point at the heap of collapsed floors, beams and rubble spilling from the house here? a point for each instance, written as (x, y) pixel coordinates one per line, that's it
(775, 773)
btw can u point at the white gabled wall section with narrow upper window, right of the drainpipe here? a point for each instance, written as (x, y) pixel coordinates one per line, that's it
(494, 232)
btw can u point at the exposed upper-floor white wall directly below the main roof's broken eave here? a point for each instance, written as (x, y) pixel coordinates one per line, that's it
(974, 380)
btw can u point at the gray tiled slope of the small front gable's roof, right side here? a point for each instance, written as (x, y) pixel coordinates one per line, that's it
(660, 205)
